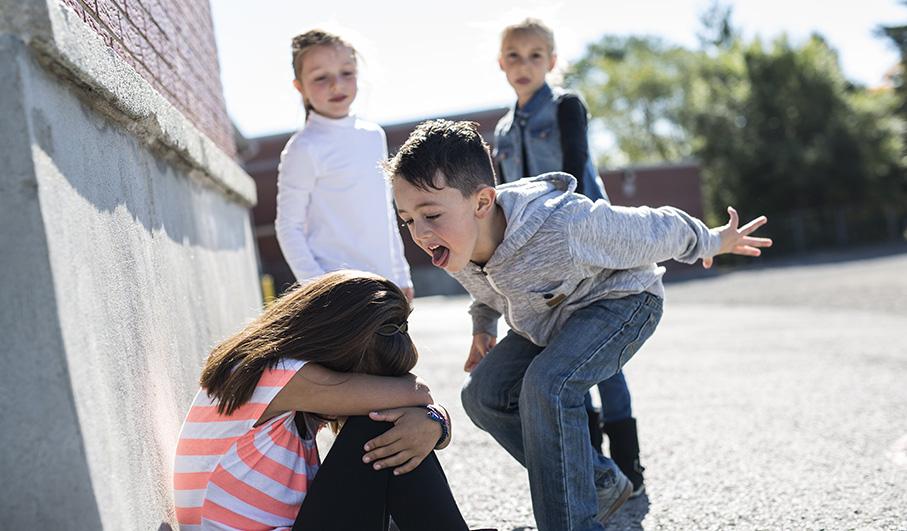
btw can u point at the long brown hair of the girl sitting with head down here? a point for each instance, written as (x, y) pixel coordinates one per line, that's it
(332, 320)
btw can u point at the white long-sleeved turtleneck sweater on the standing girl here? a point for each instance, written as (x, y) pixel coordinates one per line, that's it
(334, 206)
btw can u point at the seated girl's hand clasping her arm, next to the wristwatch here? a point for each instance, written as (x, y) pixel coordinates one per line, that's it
(404, 446)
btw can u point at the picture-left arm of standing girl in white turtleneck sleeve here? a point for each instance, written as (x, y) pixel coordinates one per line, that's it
(295, 182)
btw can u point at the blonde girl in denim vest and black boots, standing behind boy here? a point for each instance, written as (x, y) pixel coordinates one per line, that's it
(546, 131)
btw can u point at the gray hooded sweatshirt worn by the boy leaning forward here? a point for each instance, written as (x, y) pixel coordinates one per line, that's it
(562, 252)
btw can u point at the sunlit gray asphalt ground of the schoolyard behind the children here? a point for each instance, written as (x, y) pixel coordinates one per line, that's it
(768, 399)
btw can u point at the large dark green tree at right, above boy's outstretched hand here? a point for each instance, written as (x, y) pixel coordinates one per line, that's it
(794, 134)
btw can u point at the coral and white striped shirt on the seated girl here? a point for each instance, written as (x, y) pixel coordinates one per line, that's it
(231, 475)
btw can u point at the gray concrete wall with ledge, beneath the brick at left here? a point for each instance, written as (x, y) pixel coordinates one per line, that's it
(125, 253)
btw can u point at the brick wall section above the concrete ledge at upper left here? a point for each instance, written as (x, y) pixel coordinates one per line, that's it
(171, 44)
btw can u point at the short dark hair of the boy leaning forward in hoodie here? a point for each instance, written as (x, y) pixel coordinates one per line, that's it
(455, 149)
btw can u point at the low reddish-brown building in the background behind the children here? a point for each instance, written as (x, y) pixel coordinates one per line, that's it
(675, 184)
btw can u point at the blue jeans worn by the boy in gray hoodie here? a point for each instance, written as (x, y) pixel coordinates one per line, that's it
(530, 399)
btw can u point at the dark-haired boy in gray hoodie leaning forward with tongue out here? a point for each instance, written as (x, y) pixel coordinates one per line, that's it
(579, 287)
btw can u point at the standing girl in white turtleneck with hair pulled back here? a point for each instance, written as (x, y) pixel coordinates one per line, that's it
(334, 207)
